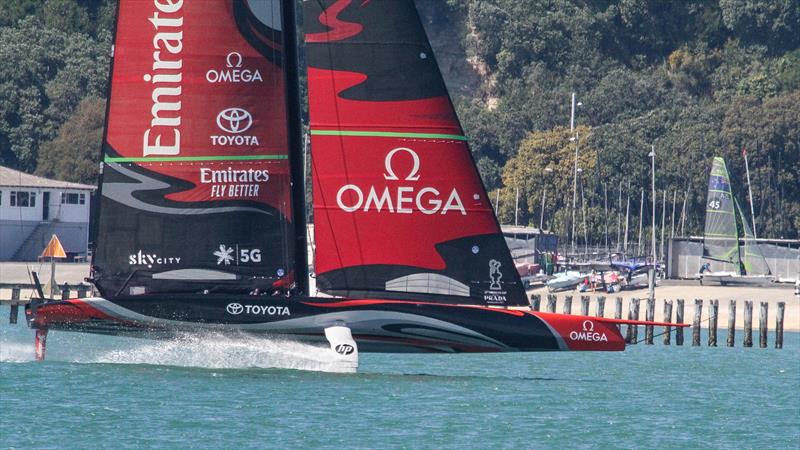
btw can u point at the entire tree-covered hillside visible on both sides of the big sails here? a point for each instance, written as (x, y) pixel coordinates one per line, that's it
(694, 79)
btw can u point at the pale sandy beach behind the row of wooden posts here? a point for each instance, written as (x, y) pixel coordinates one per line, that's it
(691, 291)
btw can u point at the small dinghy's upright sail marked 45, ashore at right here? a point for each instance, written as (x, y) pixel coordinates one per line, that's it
(721, 238)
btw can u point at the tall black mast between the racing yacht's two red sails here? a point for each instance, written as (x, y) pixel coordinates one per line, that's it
(296, 160)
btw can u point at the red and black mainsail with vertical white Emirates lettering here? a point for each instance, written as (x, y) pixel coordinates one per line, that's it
(196, 183)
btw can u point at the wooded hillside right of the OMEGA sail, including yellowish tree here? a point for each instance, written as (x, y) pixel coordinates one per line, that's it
(695, 79)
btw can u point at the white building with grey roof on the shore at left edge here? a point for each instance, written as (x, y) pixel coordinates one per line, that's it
(33, 208)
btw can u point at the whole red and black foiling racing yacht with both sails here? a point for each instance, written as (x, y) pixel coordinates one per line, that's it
(200, 223)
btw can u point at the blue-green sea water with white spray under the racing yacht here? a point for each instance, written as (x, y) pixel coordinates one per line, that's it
(214, 392)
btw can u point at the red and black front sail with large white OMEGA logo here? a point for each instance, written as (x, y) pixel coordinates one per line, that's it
(399, 206)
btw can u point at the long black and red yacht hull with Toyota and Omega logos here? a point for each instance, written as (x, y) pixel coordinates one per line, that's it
(377, 325)
